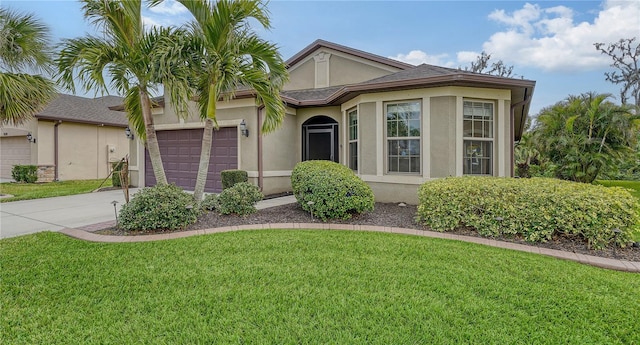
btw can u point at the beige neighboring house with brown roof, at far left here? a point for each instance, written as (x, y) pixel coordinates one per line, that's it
(72, 138)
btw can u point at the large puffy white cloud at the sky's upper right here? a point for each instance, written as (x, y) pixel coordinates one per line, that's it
(548, 38)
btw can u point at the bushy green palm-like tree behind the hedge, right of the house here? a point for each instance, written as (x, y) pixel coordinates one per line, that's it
(585, 135)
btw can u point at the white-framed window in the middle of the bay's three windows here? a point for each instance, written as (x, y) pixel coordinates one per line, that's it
(403, 136)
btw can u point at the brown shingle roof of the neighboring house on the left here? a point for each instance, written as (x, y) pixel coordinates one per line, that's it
(85, 110)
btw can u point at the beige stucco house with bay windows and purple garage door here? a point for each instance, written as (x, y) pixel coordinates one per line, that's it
(396, 125)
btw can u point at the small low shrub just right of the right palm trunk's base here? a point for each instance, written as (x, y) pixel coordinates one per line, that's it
(240, 199)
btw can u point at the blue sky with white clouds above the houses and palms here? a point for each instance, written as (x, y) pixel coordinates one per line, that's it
(550, 42)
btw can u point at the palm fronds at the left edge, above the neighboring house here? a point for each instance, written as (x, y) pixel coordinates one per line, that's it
(23, 47)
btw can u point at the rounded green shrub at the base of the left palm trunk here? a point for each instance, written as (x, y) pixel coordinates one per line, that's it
(158, 207)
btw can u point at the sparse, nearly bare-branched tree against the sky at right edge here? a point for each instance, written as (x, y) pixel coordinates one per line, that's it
(625, 54)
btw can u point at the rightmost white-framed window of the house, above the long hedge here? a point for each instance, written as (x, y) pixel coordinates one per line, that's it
(478, 137)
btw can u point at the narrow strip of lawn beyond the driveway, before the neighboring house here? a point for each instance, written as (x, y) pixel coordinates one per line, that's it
(26, 191)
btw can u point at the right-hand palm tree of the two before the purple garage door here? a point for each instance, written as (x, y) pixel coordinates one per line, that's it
(227, 56)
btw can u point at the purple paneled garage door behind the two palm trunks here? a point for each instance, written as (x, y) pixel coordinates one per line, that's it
(180, 151)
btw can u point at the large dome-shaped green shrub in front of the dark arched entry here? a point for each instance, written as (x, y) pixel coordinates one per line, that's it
(330, 190)
